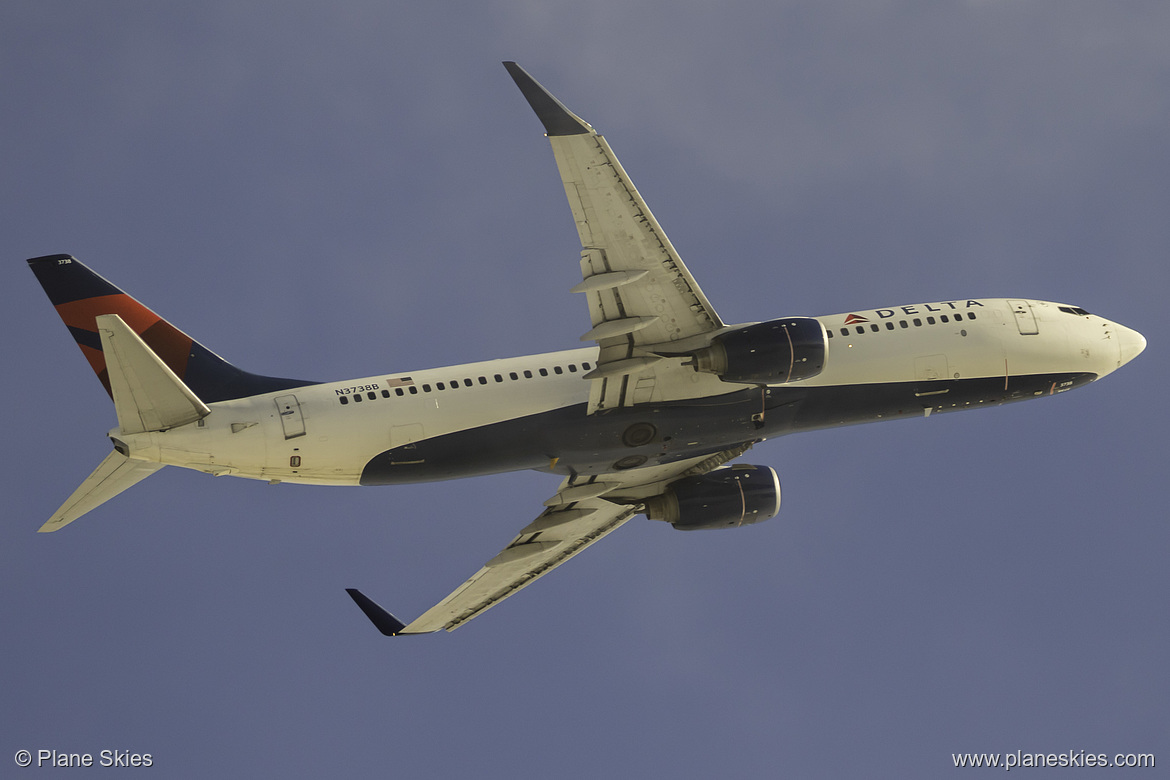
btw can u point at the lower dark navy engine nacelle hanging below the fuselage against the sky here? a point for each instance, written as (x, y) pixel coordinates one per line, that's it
(725, 499)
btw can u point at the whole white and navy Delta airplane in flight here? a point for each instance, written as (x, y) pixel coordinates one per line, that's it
(648, 419)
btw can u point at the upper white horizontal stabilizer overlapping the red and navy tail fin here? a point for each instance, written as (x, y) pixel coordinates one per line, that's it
(148, 396)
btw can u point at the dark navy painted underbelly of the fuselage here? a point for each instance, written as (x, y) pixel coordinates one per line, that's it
(568, 441)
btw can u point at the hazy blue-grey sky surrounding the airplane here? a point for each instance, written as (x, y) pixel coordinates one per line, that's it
(347, 189)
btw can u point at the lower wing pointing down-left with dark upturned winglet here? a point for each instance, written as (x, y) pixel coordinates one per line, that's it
(580, 514)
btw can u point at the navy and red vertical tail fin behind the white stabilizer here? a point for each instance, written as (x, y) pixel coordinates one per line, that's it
(81, 296)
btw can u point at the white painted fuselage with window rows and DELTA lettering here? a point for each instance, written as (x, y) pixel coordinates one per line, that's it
(329, 433)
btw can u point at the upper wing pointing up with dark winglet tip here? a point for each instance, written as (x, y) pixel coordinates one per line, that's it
(642, 298)
